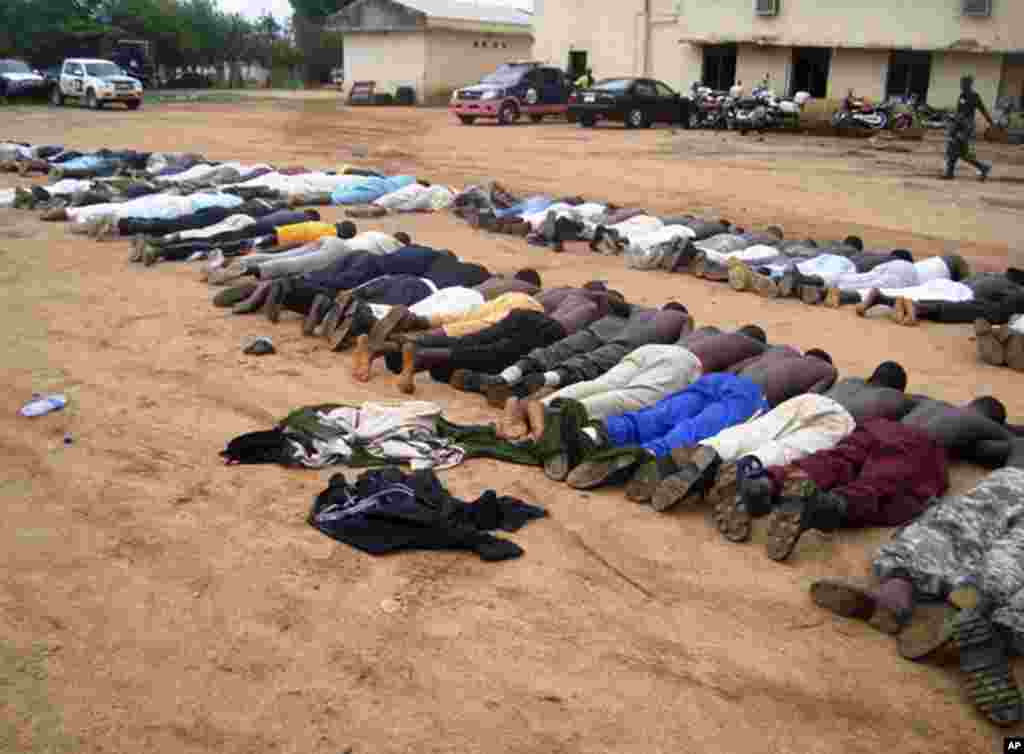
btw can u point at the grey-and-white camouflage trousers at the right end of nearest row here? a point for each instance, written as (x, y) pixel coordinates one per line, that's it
(979, 535)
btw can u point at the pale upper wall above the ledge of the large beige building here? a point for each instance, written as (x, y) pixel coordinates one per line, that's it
(874, 24)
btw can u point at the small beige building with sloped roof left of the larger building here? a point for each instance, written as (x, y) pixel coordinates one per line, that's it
(436, 47)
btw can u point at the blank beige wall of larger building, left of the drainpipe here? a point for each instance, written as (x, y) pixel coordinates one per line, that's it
(609, 32)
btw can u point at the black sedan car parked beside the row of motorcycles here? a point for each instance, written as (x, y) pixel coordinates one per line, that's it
(637, 103)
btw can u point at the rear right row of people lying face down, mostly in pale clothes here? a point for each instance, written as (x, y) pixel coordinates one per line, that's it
(836, 274)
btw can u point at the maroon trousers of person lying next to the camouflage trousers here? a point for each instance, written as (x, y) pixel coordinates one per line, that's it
(885, 471)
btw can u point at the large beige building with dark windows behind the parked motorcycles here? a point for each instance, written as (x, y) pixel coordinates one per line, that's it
(877, 48)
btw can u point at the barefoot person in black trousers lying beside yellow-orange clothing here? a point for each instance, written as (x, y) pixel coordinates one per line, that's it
(496, 346)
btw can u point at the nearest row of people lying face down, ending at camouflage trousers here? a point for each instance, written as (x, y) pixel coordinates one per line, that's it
(704, 417)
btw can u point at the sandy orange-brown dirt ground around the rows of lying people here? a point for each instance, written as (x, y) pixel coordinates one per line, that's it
(153, 600)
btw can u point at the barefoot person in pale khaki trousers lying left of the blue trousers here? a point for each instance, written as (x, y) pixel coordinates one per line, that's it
(644, 378)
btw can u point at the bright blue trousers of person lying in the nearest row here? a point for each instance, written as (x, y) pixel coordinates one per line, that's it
(685, 420)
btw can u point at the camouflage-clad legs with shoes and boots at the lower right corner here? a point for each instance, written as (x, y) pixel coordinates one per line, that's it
(963, 554)
